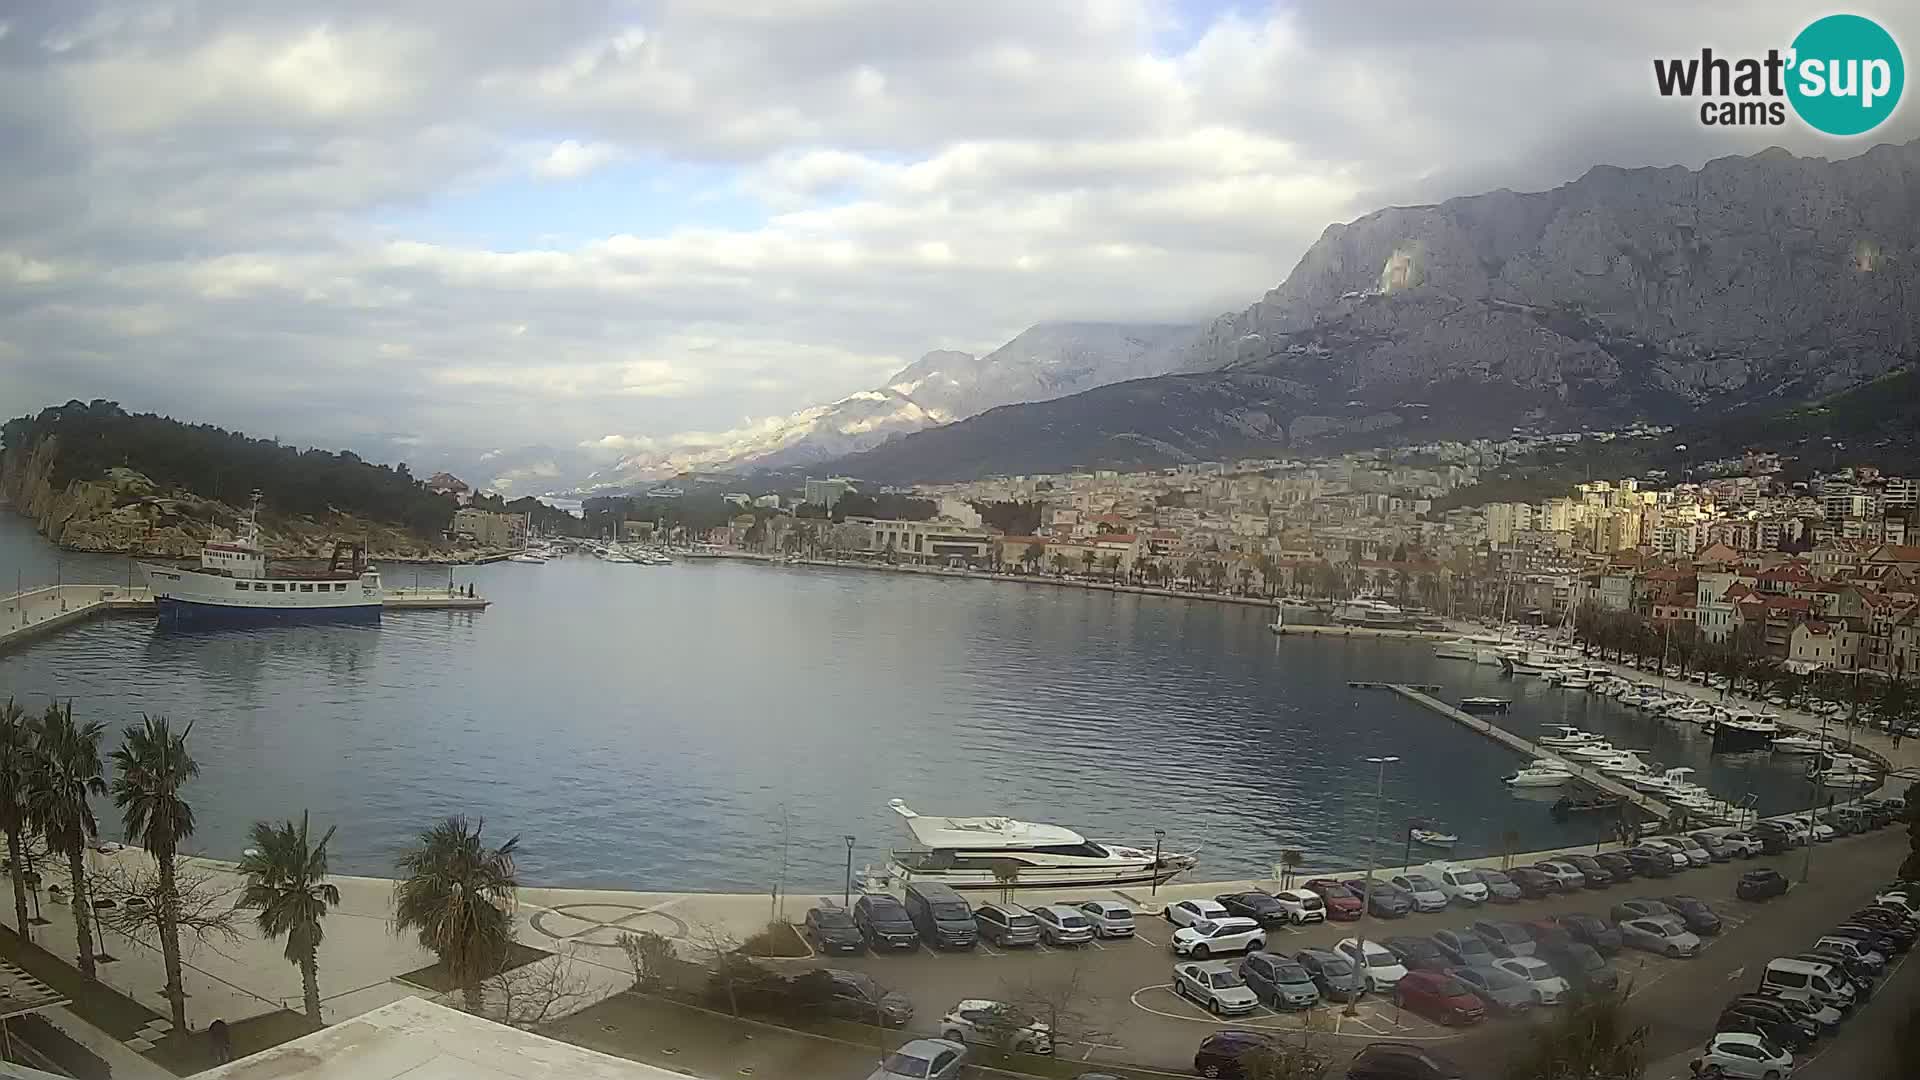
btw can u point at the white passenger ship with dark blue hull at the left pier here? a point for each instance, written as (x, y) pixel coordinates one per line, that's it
(233, 587)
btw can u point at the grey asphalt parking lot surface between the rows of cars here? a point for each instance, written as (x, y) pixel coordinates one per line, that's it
(1126, 1012)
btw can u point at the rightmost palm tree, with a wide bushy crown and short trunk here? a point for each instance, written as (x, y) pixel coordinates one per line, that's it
(458, 896)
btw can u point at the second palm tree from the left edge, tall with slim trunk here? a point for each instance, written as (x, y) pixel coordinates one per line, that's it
(68, 775)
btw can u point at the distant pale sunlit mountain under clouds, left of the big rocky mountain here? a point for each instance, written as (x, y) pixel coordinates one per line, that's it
(1044, 362)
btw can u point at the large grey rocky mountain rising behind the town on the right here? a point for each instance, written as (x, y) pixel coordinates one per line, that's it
(1625, 295)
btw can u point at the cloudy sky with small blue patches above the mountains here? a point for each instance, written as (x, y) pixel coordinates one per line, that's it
(460, 230)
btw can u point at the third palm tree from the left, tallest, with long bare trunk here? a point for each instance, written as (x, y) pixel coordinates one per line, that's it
(149, 772)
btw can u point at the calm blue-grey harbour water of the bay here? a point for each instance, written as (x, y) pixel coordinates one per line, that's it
(667, 727)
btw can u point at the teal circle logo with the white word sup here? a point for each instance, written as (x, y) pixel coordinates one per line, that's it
(1848, 76)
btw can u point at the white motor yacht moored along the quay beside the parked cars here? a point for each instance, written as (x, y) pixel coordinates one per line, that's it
(1001, 852)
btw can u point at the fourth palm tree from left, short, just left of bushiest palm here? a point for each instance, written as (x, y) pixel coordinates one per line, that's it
(287, 883)
